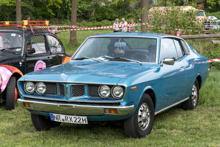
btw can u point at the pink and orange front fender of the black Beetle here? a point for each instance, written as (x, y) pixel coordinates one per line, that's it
(6, 71)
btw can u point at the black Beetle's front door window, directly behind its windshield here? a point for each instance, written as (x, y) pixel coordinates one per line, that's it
(36, 45)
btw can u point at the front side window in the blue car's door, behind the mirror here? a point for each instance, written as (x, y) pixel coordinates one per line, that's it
(168, 49)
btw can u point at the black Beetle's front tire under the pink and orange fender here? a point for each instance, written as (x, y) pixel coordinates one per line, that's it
(10, 94)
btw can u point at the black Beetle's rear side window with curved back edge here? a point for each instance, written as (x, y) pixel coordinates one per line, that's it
(55, 46)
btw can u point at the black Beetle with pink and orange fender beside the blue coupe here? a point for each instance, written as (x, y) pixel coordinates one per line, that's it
(23, 50)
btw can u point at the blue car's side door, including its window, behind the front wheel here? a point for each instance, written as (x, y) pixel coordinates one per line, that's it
(173, 77)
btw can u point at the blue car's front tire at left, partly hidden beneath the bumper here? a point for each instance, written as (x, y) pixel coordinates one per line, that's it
(42, 122)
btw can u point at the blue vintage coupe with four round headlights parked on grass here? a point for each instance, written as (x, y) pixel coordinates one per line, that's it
(129, 77)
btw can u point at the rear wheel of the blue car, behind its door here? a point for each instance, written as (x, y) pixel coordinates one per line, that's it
(193, 100)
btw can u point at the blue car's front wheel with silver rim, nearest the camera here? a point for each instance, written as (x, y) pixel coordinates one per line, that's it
(132, 126)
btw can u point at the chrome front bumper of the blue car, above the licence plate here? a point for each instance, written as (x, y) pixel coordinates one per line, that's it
(75, 109)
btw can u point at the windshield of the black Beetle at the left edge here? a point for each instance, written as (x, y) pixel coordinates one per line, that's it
(11, 42)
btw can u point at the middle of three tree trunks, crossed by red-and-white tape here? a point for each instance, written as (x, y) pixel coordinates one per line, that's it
(73, 22)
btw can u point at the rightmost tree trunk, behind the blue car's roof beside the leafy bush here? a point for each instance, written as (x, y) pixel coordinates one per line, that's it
(144, 17)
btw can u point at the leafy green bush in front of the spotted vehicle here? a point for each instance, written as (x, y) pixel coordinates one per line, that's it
(174, 18)
